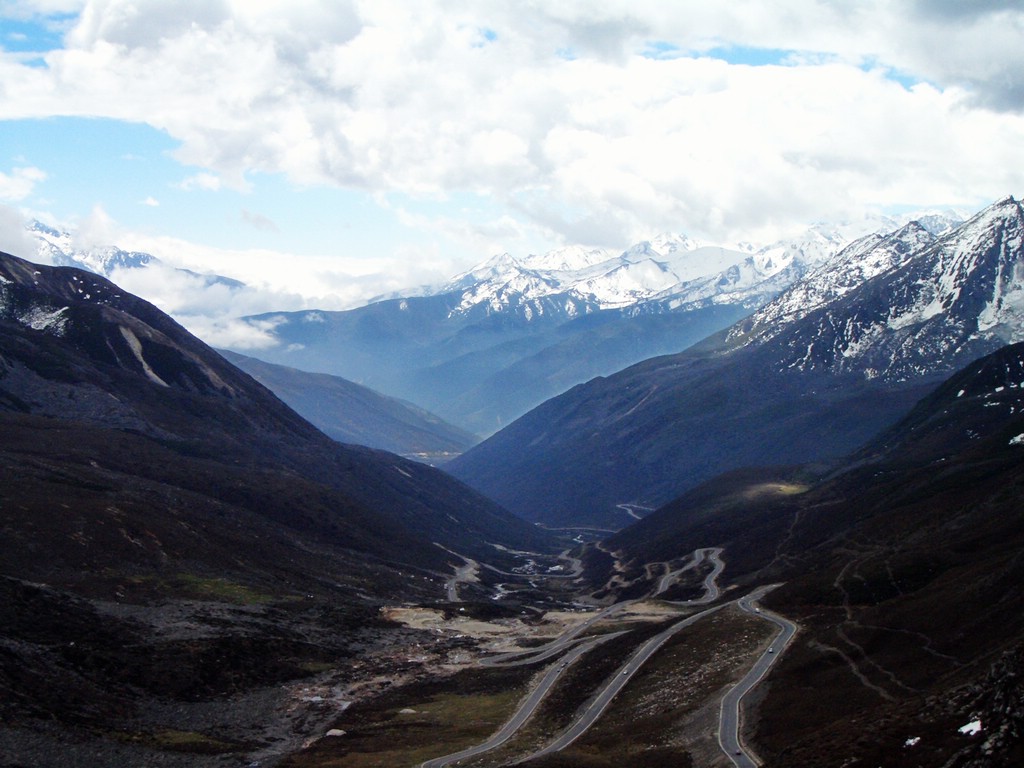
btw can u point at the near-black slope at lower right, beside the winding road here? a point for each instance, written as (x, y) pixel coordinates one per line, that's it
(904, 573)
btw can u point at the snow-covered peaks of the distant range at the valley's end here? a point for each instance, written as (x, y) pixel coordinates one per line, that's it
(670, 273)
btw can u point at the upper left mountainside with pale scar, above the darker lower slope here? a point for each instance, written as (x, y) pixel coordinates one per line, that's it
(75, 347)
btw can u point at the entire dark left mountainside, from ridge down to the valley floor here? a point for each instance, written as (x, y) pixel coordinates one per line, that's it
(183, 558)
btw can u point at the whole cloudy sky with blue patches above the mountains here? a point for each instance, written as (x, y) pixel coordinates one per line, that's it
(328, 152)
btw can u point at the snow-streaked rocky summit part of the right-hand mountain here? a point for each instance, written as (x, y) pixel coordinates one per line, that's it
(930, 305)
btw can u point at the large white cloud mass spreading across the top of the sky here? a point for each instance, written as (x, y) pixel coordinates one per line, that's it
(554, 112)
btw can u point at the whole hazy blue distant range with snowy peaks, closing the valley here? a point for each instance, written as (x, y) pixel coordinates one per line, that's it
(501, 338)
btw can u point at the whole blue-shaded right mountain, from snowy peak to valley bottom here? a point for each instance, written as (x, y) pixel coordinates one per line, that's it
(809, 387)
